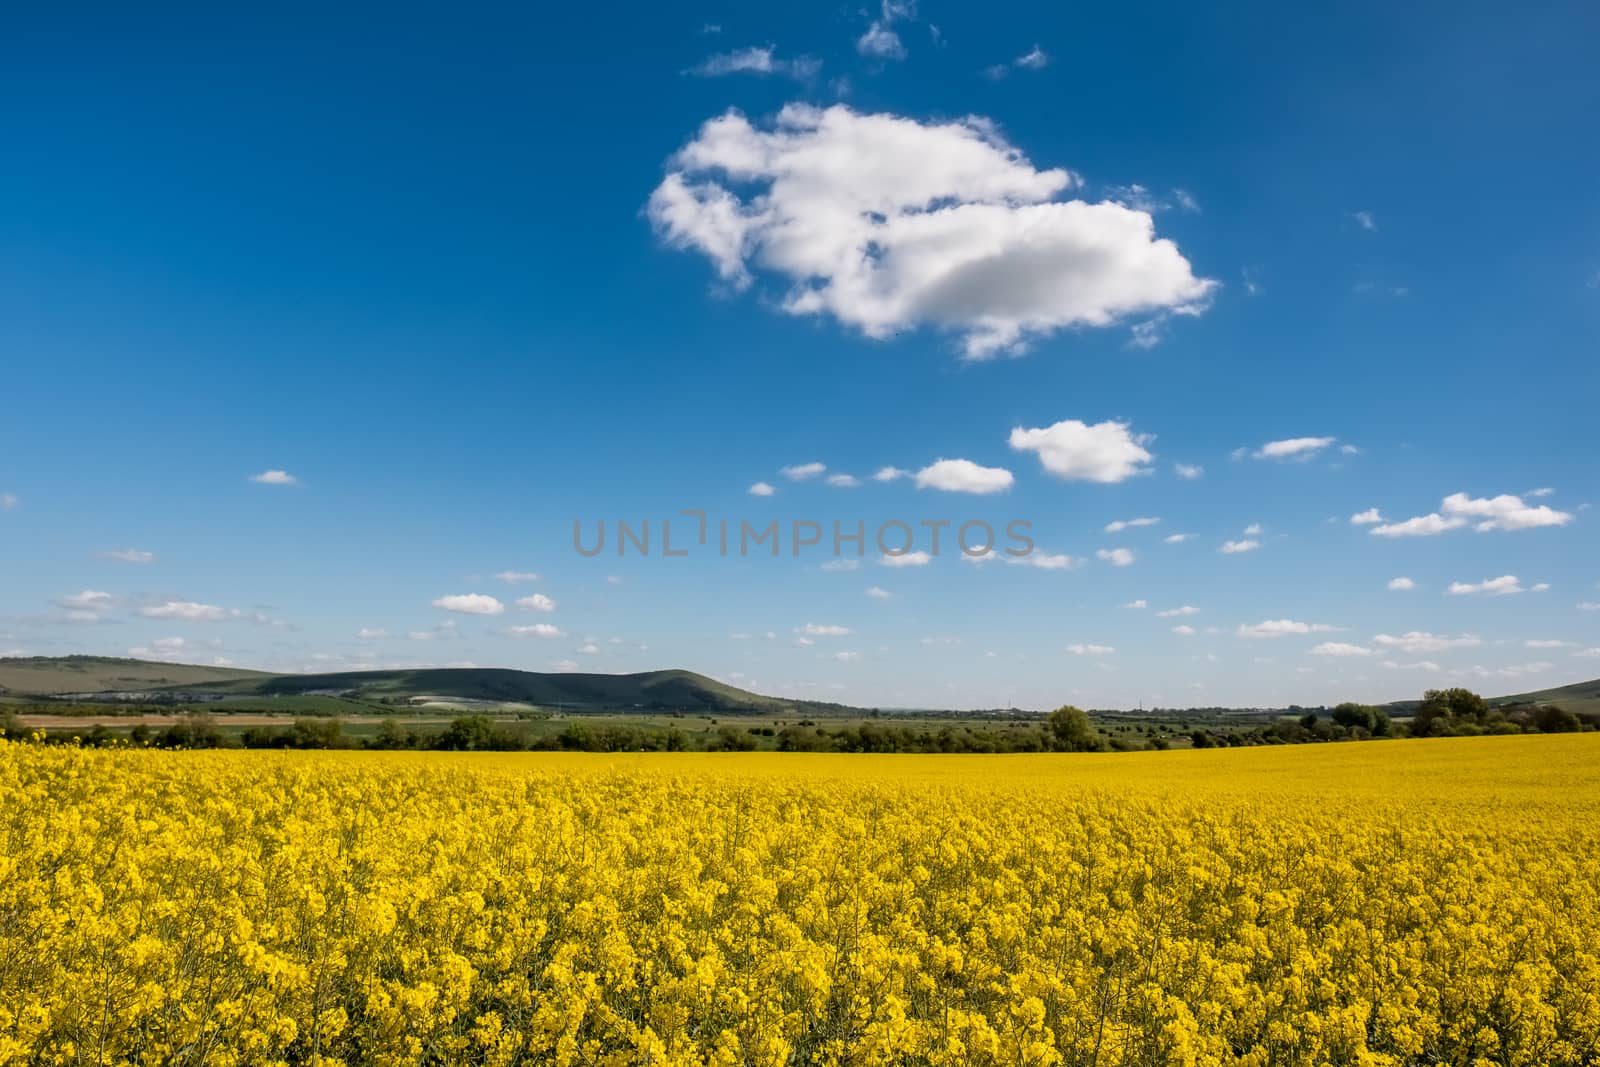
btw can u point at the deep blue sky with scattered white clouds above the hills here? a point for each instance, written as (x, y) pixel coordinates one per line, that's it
(471, 279)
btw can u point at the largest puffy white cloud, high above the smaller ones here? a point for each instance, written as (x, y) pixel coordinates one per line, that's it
(889, 223)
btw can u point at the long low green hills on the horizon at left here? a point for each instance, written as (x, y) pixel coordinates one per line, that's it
(660, 690)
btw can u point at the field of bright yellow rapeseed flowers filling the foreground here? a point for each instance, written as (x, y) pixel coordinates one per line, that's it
(1386, 903)
